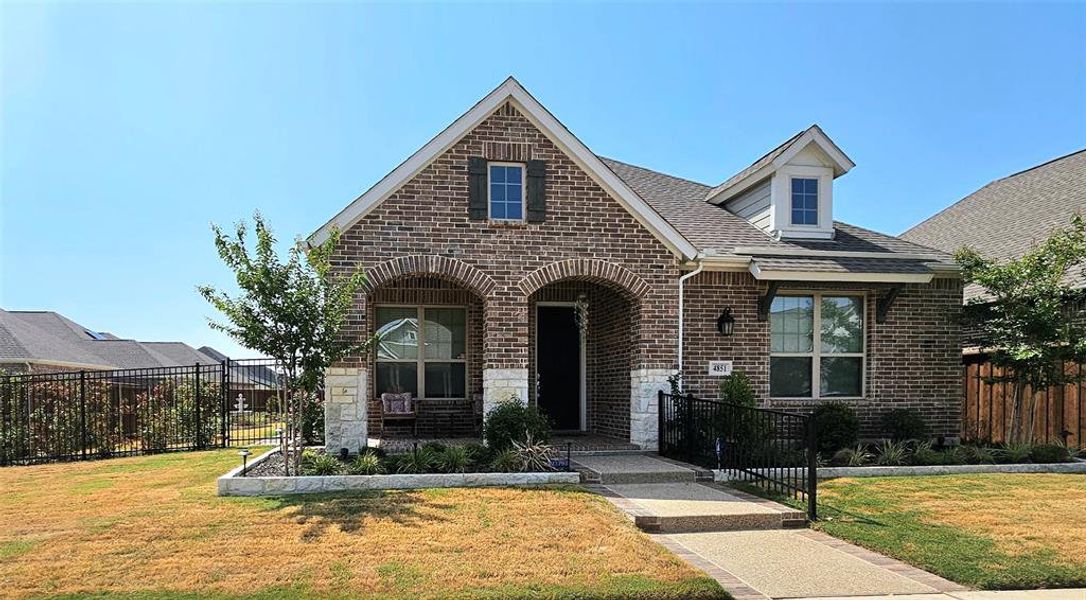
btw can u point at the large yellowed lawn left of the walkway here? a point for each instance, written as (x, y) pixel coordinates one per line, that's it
(153, 528)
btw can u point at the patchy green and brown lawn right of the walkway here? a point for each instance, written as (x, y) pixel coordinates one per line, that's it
(991, 532)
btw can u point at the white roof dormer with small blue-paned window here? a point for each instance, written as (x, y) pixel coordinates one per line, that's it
(789, 193)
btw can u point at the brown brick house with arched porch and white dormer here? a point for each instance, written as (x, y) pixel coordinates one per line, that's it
(506, 258)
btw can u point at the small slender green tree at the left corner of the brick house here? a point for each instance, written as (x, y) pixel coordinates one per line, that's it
(294, 311)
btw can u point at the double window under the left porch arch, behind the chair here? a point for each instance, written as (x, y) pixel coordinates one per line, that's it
(423, 351)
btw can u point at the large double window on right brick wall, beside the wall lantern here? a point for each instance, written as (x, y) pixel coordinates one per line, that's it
(817, 347)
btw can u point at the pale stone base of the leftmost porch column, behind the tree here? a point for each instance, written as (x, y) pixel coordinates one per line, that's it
(346, 409)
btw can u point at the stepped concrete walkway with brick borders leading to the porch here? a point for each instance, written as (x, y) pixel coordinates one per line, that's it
(750, 545)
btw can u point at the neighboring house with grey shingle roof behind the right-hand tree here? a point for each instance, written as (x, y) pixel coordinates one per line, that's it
(1007, 218)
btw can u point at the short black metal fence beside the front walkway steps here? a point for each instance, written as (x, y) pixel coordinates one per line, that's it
(774, 451)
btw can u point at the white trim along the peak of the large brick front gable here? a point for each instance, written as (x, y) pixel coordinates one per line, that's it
(511, 91)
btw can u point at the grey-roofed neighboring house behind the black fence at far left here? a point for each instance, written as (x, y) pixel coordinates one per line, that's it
(45, 342)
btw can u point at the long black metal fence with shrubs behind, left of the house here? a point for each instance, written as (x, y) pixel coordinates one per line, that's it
(96, 415)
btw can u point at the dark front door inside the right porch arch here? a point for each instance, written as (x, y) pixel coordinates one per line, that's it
(559, 367)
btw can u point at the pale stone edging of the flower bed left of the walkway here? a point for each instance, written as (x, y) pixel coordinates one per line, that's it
(235, 484)
